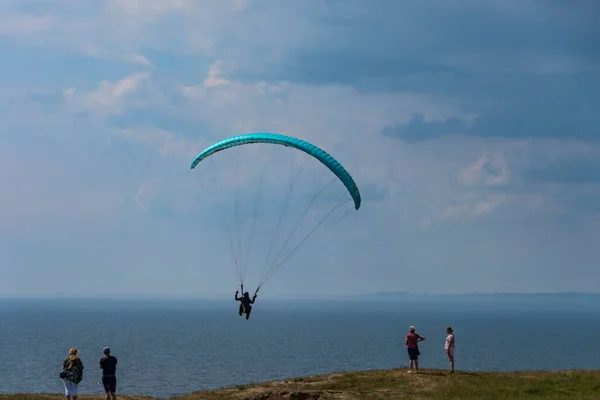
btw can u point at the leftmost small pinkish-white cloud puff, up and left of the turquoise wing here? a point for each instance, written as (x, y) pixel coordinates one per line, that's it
(108, 98)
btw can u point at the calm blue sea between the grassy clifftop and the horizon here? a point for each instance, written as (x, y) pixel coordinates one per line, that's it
(174, 347)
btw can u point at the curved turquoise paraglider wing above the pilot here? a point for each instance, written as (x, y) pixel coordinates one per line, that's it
(273, 138)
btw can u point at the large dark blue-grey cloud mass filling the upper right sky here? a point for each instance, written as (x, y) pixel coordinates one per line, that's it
(526, 69)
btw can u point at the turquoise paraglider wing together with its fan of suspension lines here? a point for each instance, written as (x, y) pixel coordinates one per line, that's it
(240, 181)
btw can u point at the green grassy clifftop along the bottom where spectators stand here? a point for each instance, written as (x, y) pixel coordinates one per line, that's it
(397, 384)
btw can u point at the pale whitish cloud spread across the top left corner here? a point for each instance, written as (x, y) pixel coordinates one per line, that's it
(121, 29)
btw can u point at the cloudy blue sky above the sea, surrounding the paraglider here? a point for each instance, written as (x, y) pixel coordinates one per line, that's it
(470, 128)
